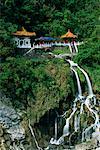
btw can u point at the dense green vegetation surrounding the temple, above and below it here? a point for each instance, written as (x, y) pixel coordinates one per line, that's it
(25, 80)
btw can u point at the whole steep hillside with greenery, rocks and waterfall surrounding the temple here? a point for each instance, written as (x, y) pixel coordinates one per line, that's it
(37, 91)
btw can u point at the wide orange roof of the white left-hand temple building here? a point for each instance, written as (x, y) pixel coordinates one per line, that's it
(24, 32)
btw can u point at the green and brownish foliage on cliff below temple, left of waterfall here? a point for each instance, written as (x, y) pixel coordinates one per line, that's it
(35, 83)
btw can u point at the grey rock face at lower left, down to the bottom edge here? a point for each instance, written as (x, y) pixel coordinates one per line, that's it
(11, 129)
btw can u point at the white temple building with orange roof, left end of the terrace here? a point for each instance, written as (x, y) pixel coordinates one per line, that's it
(22, 38)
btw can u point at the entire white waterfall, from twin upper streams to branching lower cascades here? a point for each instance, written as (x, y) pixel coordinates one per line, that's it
(85, 132)
